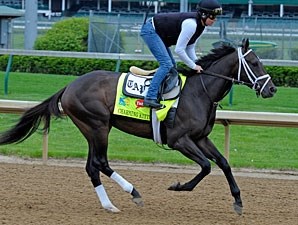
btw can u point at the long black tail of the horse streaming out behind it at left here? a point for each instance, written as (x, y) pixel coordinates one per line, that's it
(31, 119)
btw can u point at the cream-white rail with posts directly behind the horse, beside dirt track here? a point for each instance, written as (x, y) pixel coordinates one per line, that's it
(225, 118)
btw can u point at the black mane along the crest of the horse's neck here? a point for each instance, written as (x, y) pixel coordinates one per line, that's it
(214, 55)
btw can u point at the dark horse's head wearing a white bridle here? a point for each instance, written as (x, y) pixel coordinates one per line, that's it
(252, 70)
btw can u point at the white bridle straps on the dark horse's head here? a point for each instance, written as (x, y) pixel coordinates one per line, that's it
(250, 74)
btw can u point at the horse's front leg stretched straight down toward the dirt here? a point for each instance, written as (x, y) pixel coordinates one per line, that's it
(213, 154)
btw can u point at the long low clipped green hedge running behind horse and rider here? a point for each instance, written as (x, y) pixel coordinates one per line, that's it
(281, 75)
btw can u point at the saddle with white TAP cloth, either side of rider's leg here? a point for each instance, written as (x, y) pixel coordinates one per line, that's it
(137, 82)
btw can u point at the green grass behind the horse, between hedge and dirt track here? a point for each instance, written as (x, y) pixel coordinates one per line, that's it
(251, 146)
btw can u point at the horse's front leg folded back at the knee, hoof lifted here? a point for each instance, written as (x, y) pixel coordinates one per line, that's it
(188, 148)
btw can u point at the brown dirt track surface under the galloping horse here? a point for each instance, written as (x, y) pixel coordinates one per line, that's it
(61, 193)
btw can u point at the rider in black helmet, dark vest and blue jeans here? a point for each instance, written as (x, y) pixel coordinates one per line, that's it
(180, 29)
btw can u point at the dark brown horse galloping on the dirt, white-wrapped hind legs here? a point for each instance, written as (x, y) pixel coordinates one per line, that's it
(89, 103)
